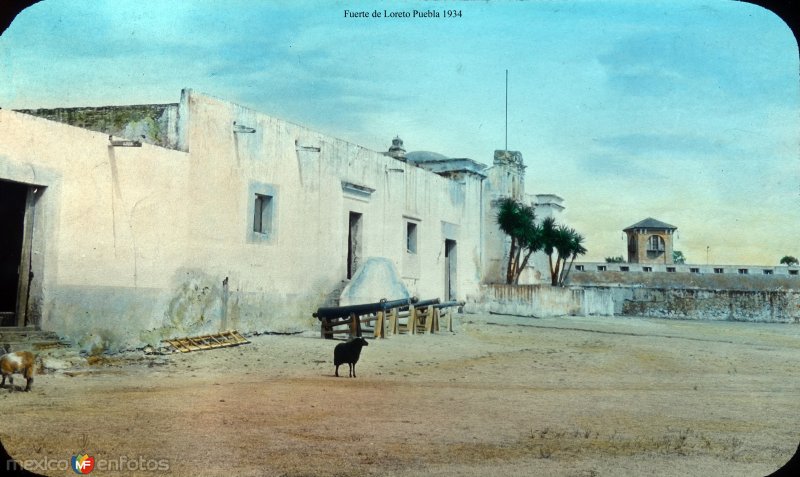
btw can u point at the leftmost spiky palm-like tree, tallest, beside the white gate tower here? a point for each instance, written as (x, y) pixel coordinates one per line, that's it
(518, 221)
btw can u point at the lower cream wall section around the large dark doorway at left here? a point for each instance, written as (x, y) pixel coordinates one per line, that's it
(110, 228)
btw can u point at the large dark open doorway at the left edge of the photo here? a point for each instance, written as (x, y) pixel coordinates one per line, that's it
(13, 199)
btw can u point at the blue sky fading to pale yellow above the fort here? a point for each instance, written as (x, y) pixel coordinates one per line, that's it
(684, 111)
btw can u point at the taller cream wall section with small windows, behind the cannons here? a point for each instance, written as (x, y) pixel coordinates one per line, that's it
(318, 180)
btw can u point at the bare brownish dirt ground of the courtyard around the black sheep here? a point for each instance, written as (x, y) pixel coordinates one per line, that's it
(500, 396)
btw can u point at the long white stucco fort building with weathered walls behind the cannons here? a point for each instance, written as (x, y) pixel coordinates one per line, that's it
(204, 215)
